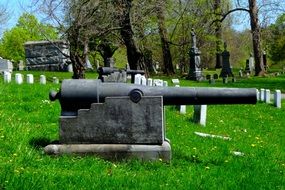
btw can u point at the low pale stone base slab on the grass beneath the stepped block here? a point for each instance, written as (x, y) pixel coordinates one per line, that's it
(115, 151)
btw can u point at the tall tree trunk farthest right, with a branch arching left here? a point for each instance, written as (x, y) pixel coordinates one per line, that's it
(256, 38)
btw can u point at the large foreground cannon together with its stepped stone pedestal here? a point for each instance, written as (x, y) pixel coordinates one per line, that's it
(126, 120)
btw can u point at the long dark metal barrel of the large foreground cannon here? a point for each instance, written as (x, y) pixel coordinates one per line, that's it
(81, 93)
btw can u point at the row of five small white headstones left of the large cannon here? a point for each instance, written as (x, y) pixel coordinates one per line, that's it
(19, 78)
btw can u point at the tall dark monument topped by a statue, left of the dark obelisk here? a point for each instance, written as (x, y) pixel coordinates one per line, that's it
(195, 70)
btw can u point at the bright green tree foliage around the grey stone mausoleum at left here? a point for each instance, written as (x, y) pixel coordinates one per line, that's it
(28, 28)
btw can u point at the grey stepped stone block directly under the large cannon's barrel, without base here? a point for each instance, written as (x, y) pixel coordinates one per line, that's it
(117, 121)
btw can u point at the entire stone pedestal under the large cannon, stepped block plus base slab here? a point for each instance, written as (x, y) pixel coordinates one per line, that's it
(117, 127)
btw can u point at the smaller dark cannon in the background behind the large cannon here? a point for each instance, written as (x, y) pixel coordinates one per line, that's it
(109, 70)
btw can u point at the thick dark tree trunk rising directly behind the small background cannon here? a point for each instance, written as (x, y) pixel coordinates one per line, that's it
(134, 55)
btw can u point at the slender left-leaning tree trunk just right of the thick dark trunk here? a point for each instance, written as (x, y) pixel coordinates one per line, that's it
(167, 59)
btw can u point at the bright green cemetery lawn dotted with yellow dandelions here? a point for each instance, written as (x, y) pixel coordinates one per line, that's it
(29, 121)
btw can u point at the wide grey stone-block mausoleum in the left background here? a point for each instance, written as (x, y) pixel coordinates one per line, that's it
(46, 55)
